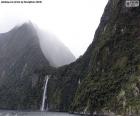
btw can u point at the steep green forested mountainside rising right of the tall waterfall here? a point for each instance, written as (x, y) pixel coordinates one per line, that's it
(107, 76)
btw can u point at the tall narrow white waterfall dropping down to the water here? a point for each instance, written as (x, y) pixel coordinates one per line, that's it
(44, 93)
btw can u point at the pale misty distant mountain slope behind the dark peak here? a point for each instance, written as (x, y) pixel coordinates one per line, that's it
(54, 50)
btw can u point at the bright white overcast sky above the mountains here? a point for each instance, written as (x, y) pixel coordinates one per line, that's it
(73, 21)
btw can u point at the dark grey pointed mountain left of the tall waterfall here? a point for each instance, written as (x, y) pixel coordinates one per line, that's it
(20, 58)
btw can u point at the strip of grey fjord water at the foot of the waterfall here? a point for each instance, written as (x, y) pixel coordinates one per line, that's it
(15, 113)
